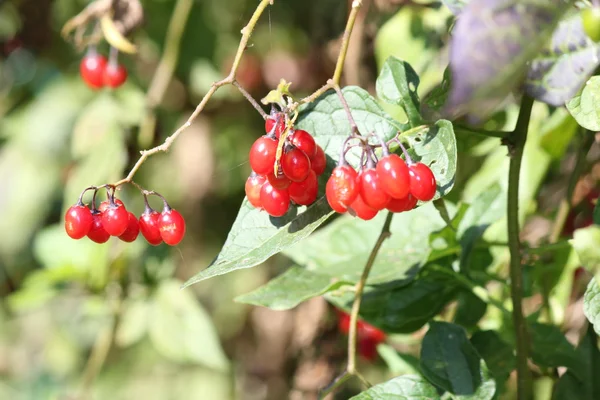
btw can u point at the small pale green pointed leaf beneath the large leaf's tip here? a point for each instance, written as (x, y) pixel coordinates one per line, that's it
(291, 288)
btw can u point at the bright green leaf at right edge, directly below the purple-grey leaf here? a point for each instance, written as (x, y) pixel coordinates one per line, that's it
(585, 107)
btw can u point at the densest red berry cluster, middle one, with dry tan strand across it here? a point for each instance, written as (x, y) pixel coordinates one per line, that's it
(273, 185)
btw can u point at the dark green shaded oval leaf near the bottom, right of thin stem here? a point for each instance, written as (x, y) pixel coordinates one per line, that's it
(449, 360)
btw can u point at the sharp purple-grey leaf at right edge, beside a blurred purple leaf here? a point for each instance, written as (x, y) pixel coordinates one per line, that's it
(558, 73)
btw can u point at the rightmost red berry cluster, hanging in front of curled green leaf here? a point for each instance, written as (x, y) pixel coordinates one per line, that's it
(389, 183)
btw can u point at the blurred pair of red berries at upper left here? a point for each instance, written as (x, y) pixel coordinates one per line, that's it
(97, 72)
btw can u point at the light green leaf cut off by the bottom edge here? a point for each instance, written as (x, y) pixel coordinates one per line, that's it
(405, 387)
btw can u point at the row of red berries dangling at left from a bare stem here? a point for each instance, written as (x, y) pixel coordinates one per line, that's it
(111, 218)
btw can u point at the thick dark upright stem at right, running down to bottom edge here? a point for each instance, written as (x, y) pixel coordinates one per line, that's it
(516, 142)
